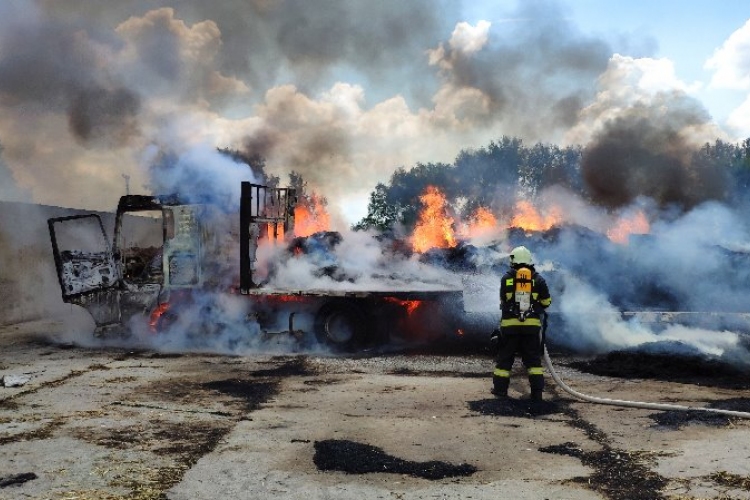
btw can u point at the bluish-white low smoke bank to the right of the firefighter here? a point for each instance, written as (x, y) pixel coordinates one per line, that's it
(691, 270)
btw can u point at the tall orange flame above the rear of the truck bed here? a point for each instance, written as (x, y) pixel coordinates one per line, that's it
(435, 227)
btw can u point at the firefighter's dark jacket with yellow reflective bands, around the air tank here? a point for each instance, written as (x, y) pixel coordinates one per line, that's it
(511, 318)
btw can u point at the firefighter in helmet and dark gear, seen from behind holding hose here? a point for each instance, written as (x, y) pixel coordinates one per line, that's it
(524, 296)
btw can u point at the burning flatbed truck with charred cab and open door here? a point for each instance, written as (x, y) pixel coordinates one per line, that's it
(170, 258)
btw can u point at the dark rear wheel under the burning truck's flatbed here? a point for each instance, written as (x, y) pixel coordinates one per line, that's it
(341, 325)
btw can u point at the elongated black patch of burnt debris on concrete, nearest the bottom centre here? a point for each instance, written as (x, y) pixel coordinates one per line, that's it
(357, 458)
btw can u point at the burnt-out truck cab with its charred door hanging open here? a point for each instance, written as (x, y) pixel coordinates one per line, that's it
(156, 249)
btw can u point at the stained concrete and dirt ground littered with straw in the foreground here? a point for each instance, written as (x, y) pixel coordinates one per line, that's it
(120, 423)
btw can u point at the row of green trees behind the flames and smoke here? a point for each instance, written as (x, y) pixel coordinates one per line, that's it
(507, 169)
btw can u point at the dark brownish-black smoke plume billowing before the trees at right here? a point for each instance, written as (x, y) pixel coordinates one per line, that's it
(646, 154)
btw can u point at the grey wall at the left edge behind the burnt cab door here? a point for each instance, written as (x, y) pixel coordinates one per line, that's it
(29, 289)
